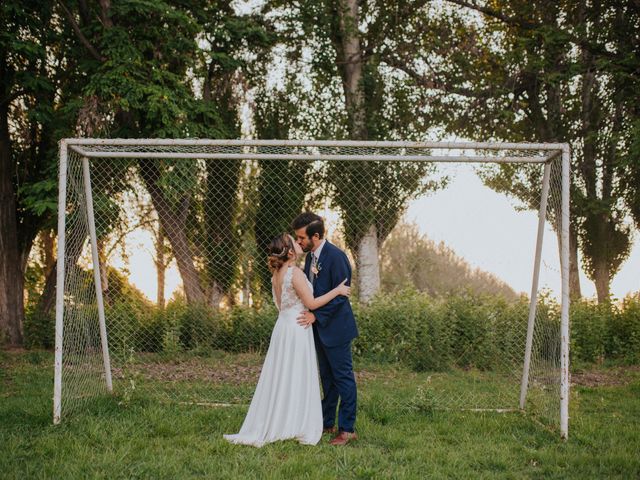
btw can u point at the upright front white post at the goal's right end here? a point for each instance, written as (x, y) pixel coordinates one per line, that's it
(564, 322)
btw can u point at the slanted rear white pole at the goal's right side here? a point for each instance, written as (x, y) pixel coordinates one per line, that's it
(542, 213)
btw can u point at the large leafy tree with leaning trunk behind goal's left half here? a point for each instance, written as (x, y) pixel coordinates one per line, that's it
(177, 85)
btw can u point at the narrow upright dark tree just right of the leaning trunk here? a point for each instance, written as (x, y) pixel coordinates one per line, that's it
(231, 40)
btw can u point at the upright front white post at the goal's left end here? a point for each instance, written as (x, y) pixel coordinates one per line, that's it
(62, 201)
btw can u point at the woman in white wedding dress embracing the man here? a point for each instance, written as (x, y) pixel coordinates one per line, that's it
(286, 403)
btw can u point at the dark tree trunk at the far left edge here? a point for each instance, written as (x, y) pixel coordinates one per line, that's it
(11, 278)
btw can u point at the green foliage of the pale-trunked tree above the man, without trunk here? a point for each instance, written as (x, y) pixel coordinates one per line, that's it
(386, 111)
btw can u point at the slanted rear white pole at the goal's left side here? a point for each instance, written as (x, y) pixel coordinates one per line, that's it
(96, 273)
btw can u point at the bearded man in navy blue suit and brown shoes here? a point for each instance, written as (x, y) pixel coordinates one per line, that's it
(334, 326)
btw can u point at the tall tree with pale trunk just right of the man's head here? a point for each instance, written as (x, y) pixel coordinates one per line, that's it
(345, 38)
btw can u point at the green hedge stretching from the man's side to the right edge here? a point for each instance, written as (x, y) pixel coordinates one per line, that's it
(486, 332)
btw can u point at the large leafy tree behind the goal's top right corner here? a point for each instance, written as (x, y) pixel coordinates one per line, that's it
(541, 71)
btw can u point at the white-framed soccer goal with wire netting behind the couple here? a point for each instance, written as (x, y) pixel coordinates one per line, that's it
(164, 291)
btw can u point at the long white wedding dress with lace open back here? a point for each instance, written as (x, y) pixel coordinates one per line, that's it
(286, 403)
